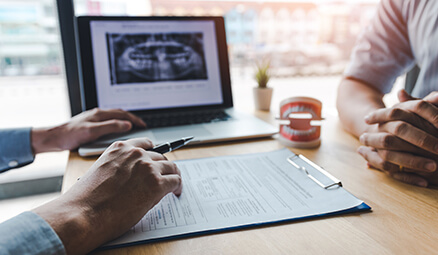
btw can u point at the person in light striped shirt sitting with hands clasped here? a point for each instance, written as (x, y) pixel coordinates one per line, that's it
(401, 140)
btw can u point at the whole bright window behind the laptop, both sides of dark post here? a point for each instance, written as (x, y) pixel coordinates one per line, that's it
(296, 35)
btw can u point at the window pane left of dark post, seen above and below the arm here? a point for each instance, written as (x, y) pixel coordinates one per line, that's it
(32, 87)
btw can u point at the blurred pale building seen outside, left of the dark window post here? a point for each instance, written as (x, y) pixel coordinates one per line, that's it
(29, 41)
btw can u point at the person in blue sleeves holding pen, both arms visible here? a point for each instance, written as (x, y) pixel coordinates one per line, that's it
(115, 193)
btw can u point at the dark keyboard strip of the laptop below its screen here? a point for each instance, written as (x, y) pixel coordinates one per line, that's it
(185, 118)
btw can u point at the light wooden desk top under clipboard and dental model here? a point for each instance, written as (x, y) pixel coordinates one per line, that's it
(404, 218)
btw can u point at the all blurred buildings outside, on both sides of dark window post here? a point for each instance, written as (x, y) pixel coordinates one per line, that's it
(299, 37)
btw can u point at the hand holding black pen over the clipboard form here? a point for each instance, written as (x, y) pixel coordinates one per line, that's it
(116, 192)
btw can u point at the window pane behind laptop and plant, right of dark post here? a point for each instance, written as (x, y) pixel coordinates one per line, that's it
(300, 38)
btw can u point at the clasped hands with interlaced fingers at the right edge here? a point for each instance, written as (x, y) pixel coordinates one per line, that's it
(405, 141)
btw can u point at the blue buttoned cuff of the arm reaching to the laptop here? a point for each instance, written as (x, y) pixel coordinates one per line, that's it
(15, 148)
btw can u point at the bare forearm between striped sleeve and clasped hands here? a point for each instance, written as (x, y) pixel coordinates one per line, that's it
(355, 100)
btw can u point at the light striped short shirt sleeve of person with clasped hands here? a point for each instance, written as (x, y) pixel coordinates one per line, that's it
(383, 51)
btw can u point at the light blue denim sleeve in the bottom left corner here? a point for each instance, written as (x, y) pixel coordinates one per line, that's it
(28, 233)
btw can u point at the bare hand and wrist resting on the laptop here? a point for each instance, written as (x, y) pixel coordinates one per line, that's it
(83, 128)
